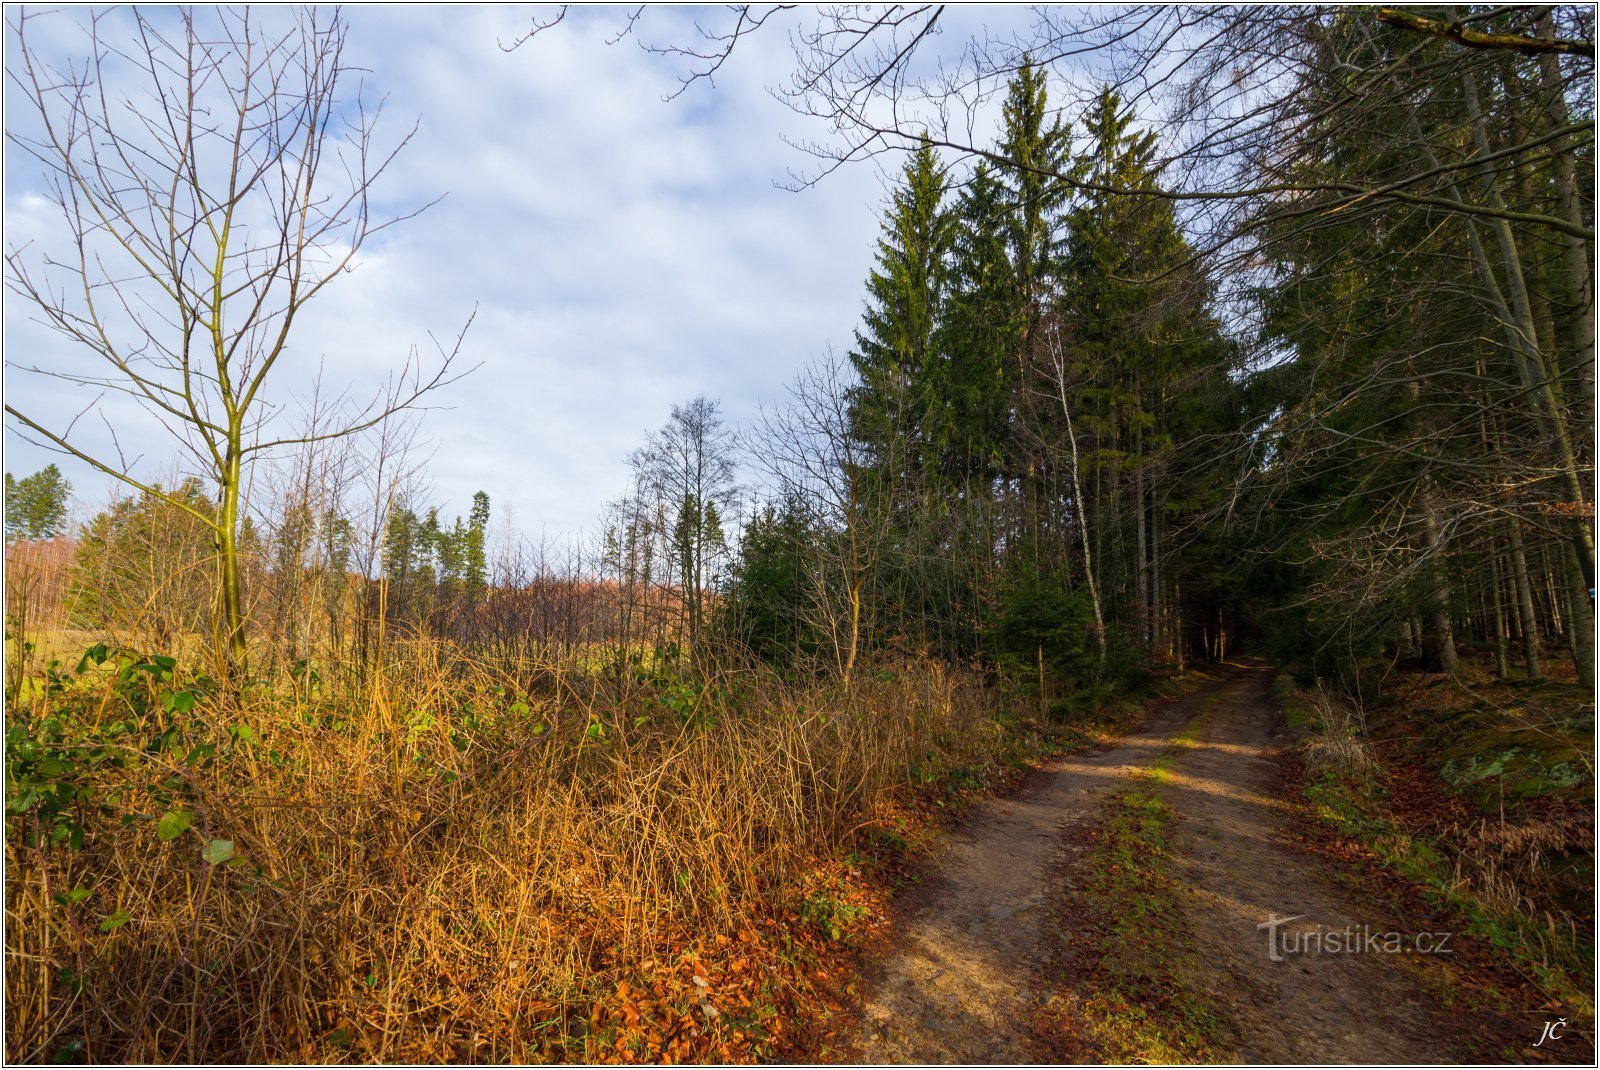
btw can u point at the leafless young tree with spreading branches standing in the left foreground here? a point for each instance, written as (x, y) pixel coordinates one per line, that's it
(214, 177)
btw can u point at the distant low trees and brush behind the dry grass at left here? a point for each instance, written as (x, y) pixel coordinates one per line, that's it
(321, 585)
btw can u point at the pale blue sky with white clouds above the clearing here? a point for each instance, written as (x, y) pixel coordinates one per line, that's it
(622, 254)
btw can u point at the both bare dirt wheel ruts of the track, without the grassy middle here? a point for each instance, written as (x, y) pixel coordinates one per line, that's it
(959, 984)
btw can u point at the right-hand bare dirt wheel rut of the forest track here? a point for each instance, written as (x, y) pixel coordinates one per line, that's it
(1337, 984)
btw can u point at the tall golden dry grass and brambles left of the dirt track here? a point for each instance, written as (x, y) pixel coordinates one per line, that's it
(442, 864)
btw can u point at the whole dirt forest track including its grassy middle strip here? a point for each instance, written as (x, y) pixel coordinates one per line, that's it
(1164, 901)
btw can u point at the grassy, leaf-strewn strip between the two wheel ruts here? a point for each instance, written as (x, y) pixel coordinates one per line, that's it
(1126, 938)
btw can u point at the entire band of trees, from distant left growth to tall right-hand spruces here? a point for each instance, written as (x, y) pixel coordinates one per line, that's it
(1086, 426)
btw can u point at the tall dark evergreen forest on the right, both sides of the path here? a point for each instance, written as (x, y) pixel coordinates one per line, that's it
(1082, 433)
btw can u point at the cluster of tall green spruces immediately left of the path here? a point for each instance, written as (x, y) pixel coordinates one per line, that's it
(1014, 461)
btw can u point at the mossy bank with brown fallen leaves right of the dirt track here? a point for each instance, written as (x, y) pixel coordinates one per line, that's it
(1506, 850)
